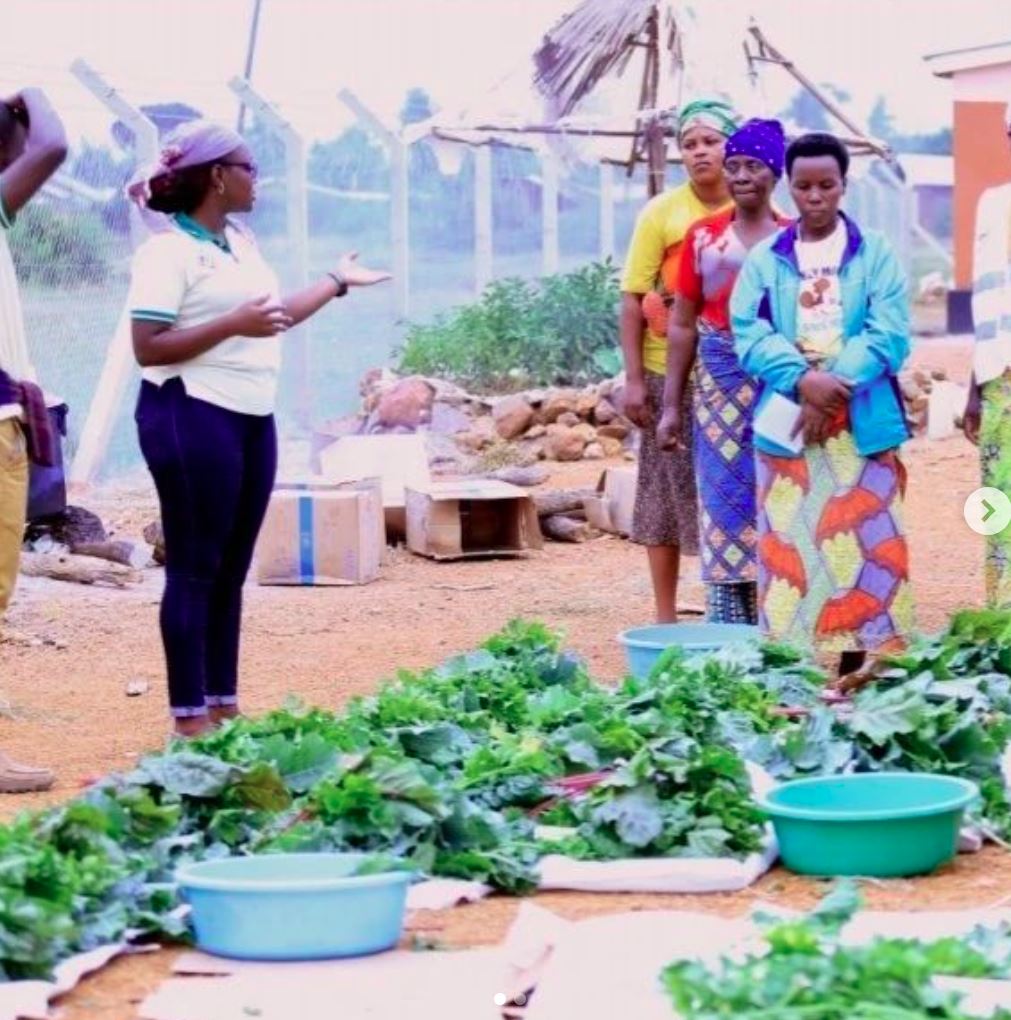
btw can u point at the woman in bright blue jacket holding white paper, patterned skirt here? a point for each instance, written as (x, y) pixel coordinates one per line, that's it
(821, 320)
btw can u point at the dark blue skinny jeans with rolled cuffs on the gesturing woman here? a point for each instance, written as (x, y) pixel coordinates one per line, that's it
(215, 472)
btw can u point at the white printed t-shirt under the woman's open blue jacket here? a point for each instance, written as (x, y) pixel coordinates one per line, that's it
(820, 302)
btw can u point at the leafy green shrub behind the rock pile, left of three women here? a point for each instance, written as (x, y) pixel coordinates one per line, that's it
(562, 331)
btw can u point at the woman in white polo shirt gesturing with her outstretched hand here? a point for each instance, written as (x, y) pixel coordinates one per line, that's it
(208, 321)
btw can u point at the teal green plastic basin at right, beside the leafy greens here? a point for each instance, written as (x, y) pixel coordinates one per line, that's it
(879, 825)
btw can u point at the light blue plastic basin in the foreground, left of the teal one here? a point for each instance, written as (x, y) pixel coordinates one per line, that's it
(293, 906)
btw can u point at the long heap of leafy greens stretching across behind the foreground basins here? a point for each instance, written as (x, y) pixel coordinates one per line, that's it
(479, 769)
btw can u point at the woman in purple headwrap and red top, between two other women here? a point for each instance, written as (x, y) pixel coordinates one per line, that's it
(713, 256)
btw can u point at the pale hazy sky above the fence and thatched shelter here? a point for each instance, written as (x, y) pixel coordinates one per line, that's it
(467, 54)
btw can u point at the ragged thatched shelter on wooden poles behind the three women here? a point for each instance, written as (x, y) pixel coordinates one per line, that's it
(581, 111)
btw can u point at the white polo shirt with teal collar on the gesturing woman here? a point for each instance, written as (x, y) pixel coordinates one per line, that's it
(185, 278)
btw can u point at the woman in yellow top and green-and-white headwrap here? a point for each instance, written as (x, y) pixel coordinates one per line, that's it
(666, 517)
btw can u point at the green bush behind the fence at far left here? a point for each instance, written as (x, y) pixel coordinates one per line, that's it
(62, 248)
